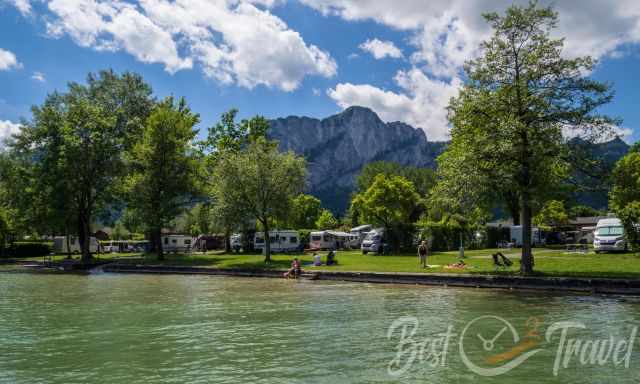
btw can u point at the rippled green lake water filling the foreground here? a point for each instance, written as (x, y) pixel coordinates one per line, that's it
(193, 329)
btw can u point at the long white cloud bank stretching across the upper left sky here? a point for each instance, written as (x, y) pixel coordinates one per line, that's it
(234, 41)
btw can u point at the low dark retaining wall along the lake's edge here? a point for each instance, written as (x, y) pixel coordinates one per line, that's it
(540, 283)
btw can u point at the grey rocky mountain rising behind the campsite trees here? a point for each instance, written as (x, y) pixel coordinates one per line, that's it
(339, 146)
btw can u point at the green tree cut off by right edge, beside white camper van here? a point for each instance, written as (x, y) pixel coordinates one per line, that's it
(624, 198)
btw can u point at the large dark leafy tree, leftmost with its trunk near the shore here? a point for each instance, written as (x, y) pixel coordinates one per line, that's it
(71, 153)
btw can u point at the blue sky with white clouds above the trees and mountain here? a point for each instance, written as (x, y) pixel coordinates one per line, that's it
(276, 58)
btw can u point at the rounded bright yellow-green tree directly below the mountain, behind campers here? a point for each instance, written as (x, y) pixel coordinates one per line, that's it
(391, 202)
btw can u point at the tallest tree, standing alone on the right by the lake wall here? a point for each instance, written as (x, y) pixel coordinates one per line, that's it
(508, 119)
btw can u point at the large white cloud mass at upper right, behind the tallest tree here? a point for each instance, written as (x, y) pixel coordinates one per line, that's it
(446, 33)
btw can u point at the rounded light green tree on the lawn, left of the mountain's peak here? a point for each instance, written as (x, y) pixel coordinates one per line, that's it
(260, 181)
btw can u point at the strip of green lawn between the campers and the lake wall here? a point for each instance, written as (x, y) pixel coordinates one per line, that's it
(552, 262)
